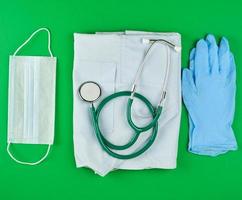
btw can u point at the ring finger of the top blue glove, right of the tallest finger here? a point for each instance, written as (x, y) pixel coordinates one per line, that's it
(224, 57)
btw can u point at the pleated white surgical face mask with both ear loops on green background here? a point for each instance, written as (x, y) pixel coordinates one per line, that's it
(31, 100)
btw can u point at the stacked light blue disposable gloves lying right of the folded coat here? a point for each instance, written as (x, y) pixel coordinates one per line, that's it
(209, 87)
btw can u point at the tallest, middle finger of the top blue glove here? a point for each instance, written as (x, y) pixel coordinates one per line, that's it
(213, 54)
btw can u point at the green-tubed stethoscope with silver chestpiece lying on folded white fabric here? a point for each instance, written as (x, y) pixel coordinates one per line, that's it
(90, 91)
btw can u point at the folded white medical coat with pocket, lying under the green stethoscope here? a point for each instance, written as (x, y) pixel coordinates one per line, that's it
(111, 60)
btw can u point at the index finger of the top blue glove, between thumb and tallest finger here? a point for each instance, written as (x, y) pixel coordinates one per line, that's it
(201, 61)
